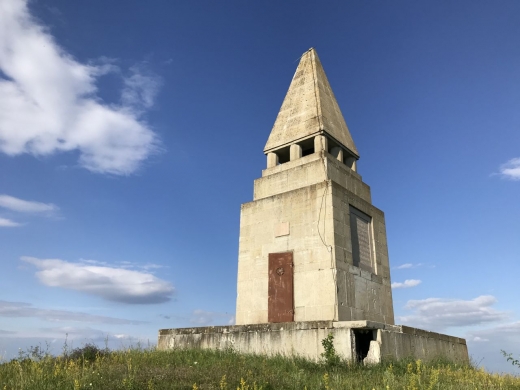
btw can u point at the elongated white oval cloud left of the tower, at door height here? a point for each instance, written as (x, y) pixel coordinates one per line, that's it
(111, 283)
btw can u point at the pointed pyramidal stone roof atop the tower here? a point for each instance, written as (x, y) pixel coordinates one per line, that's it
(309, 108)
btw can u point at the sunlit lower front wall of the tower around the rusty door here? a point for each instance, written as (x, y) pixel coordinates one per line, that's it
(314, 287)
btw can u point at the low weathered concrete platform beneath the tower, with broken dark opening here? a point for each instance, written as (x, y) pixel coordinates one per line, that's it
(366, 341)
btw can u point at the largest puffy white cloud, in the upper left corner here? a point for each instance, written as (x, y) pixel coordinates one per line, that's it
(48, 101)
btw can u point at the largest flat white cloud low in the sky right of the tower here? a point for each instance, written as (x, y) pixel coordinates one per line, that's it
(439, 313)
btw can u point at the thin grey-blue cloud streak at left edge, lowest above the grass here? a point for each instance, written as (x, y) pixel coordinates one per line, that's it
(26, 310)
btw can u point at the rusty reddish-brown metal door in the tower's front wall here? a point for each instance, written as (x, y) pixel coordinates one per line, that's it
(280, 292)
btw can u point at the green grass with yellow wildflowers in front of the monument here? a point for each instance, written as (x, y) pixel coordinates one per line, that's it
(196, 369)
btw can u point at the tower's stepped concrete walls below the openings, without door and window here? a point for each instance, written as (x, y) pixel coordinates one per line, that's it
(310, 198)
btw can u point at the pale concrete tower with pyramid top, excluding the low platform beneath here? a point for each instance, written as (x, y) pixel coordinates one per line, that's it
(312, 246)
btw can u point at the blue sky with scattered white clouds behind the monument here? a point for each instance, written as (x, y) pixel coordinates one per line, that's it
(131, 132)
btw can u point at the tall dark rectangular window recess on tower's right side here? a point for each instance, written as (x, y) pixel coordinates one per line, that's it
(361, 233)
